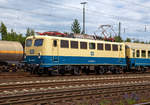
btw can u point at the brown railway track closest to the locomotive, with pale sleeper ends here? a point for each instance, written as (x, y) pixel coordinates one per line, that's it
(17, 86)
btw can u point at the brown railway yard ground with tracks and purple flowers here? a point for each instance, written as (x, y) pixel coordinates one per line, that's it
(22, 88)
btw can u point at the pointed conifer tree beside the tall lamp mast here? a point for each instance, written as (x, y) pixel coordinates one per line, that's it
(75, 27)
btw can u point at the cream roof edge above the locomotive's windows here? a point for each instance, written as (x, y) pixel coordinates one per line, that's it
(75, 39)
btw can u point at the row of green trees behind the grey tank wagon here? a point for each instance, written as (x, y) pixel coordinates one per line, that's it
(13, 36)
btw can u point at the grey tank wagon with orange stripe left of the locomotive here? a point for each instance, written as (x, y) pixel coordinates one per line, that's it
(11, 53)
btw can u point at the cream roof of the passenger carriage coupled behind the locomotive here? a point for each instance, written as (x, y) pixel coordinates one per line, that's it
(138, 46)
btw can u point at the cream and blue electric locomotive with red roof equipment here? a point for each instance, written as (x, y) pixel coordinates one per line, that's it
(74, 55)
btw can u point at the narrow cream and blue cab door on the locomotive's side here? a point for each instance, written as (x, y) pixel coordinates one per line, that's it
(55, 51)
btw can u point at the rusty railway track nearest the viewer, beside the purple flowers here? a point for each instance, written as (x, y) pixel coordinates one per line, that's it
(71, 94)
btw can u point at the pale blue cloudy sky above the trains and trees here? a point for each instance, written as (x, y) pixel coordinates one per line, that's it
(58, 15)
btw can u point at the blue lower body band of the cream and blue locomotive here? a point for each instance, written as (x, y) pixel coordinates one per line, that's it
(48, 61)
